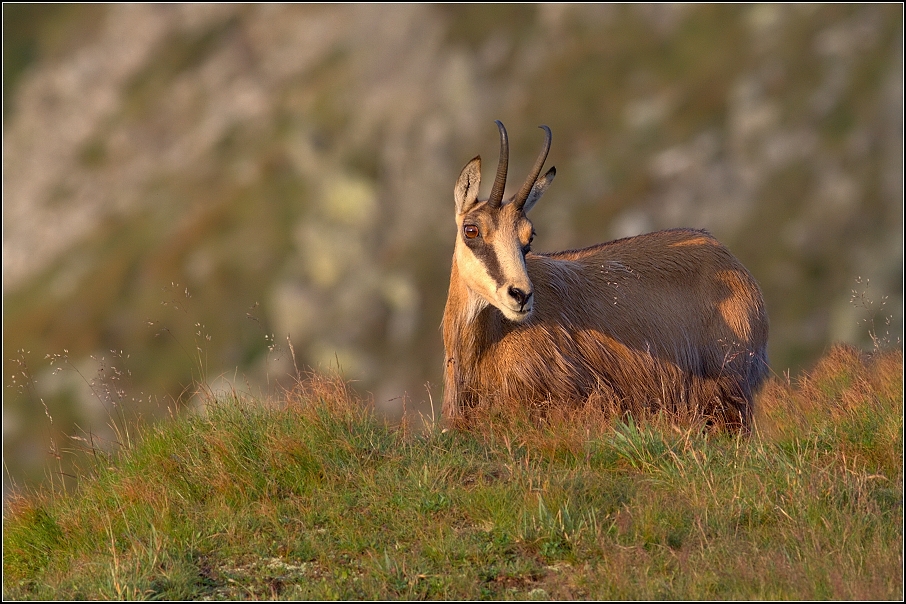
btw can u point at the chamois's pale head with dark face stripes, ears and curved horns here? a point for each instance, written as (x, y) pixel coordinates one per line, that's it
(494, 236)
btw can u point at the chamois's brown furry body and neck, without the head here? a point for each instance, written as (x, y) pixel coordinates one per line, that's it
(669, 320)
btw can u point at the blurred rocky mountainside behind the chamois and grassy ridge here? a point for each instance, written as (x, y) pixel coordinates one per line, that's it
(184, 186)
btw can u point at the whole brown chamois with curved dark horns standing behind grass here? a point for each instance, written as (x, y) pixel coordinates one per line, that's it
(669, 320)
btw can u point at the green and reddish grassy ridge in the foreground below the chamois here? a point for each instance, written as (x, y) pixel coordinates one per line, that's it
(315, 497)
